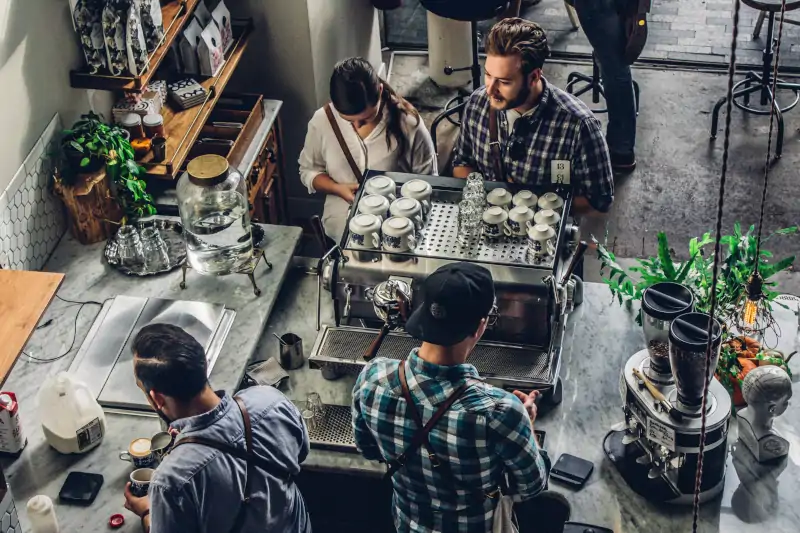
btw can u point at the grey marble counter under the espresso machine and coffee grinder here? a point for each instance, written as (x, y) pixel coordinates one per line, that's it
(600, 338)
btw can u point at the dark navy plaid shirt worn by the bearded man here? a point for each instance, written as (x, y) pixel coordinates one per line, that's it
(562, 128)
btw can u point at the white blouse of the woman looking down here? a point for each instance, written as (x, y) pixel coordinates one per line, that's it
(322, 155)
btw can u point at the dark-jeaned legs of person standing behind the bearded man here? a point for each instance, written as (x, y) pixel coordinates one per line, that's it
(604, 27)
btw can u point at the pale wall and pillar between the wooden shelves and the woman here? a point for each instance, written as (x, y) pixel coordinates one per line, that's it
(290, 58)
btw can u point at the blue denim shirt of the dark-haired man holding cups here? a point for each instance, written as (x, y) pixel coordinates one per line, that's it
(199, 489)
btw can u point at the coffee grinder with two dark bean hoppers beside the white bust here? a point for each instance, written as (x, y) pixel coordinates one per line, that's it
(657, 447)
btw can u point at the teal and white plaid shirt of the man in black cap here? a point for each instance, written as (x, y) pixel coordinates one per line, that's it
(485, 434)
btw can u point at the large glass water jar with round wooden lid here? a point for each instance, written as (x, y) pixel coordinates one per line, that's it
(212, 201)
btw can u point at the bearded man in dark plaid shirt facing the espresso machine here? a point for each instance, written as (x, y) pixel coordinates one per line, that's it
(544, 135)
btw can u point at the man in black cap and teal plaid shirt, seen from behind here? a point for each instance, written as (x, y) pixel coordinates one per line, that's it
(446, 476)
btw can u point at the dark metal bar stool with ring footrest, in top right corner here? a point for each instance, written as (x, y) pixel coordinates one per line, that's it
(762, 81)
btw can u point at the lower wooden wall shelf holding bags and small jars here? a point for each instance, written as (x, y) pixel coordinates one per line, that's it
(183, 126)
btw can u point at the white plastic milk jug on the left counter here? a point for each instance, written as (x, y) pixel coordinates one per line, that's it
(72, 420)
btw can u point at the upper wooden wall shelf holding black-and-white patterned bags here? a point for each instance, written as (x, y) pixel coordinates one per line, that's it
(176, 15)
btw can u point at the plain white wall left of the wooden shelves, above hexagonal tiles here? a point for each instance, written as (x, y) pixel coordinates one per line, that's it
(37, 49)
